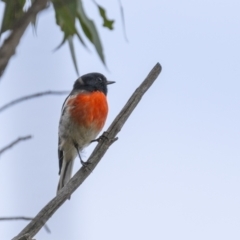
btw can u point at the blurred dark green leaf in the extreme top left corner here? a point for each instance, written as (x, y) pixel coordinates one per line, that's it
(12, 13)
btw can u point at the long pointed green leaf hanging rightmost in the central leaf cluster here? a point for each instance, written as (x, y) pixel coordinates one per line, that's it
(90, 30)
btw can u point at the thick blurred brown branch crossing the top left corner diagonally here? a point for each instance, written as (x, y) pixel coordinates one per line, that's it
(10, 44)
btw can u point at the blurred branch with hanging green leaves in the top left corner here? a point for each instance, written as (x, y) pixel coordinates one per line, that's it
(67, 12)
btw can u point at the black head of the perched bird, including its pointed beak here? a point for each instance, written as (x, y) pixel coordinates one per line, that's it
(92, 82)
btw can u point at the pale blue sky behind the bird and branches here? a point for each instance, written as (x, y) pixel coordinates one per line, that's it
(174, 172)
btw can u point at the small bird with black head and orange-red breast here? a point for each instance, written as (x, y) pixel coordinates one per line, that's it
(84, 113)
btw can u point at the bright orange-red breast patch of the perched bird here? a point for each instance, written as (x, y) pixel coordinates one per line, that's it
(89, 109)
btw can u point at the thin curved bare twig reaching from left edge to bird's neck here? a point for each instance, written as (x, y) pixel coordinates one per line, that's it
(40, 94)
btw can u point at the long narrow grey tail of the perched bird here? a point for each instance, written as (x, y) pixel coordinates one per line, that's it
(65, 175)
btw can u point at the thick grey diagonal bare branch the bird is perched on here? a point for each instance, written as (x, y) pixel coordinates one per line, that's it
(36, 224)
